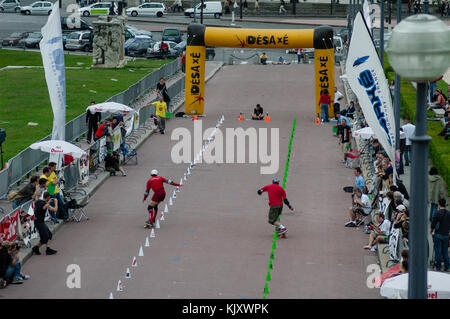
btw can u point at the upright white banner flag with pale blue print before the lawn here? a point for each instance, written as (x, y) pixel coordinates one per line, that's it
(52, 52)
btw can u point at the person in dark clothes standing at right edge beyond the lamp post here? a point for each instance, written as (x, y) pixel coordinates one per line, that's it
(441, 226)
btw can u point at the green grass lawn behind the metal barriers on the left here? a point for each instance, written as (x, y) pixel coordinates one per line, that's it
(24, 96)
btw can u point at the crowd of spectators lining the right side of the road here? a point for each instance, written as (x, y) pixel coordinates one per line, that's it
(380, 202)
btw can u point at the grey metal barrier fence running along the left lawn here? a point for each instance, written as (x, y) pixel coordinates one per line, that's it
(26, 161)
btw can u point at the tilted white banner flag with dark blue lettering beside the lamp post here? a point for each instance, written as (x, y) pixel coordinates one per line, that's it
(366, 78)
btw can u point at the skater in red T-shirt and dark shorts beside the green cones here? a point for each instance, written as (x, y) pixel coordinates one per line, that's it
(277, 196)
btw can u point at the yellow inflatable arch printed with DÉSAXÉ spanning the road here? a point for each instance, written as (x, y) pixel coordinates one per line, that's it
(199, 36)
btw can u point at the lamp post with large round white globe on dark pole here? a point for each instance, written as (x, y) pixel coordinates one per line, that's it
(418, 51)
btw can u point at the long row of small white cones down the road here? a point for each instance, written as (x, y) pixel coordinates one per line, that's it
(166, 209)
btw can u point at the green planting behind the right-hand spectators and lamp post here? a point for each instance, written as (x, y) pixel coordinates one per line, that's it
(439, 149)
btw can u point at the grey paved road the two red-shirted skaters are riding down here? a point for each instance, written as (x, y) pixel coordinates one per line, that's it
(215, 241)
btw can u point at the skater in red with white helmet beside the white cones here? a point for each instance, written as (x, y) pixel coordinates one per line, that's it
(156, 184)
